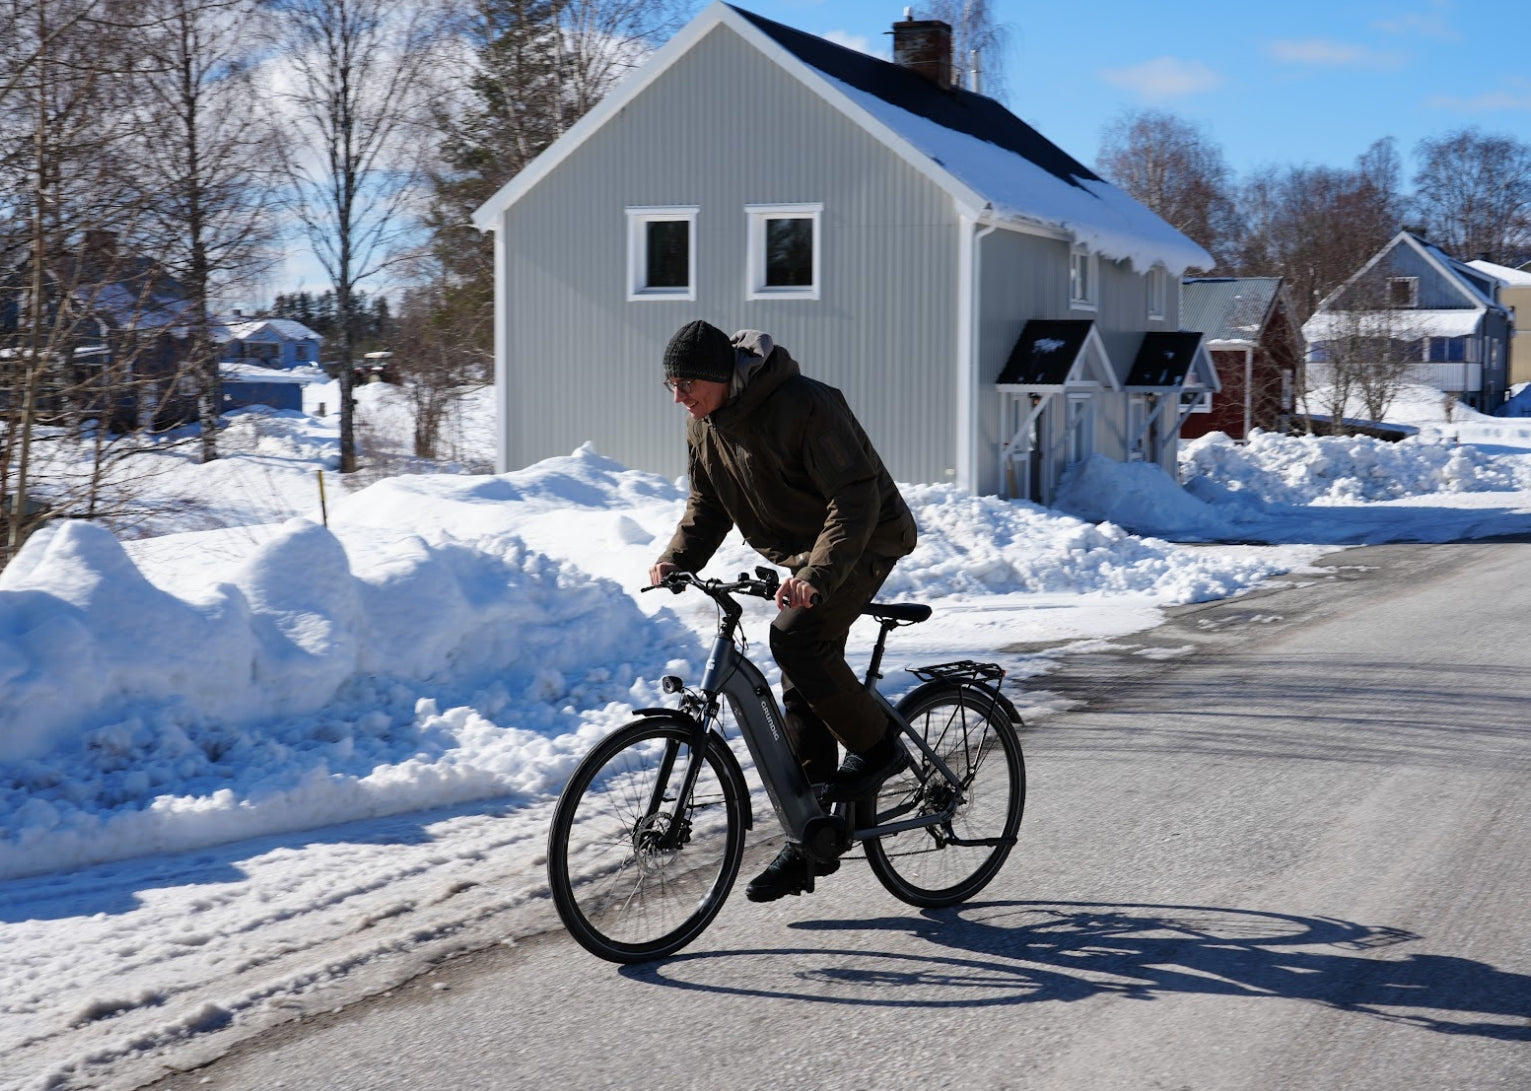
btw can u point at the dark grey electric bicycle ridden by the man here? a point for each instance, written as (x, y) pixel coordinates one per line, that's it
(648, 836)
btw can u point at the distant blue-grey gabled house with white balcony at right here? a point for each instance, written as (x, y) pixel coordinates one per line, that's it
(1417, 310)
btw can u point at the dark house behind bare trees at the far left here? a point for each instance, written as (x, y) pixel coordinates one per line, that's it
(117, 336)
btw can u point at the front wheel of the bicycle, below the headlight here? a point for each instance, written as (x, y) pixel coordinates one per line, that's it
(636, 871)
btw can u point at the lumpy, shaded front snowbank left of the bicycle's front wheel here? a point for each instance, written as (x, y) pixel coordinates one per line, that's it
(304, 691)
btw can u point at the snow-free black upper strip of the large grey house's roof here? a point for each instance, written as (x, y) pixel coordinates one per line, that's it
(956, 109)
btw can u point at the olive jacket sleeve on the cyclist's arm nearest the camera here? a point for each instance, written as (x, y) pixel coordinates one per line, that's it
(837, 461)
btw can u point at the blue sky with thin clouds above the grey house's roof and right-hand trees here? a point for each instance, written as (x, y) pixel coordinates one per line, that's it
(1301, 82)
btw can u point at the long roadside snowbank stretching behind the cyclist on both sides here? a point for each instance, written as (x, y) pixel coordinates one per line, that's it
(448, 639)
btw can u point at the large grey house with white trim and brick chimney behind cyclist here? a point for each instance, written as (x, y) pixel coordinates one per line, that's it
(982, 299)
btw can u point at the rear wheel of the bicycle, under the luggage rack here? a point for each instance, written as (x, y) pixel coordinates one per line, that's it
(979, 744)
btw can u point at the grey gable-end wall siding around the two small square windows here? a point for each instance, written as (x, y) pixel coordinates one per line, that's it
(583, 363)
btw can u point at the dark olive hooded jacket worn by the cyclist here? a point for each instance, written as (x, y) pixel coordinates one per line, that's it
(788, 463)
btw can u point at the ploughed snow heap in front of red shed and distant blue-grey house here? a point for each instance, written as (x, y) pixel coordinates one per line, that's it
(1324, 471)
